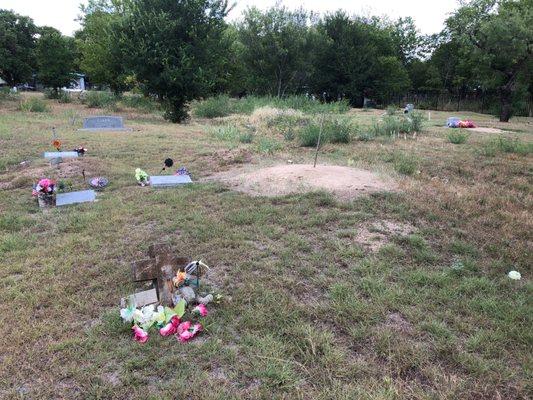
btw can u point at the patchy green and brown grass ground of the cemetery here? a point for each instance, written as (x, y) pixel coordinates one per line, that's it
(380, 274)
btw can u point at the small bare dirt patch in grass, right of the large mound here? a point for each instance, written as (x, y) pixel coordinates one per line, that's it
(377, 234)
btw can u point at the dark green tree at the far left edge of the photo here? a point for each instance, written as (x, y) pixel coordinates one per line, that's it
(17, 47)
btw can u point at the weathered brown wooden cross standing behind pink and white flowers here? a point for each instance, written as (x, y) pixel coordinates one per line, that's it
(161, 267)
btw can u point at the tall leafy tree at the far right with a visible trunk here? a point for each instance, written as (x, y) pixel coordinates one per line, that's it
(497, 35)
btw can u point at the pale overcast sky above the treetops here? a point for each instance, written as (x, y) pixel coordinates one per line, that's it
(428, 15)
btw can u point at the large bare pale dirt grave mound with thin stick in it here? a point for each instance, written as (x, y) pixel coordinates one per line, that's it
(344, 182)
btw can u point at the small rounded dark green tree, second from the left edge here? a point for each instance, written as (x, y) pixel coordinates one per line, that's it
(55, 58)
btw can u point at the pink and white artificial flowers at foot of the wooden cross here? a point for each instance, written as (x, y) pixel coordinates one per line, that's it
(168, 321)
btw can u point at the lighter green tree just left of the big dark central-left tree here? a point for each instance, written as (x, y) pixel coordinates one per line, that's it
(102, 57)
